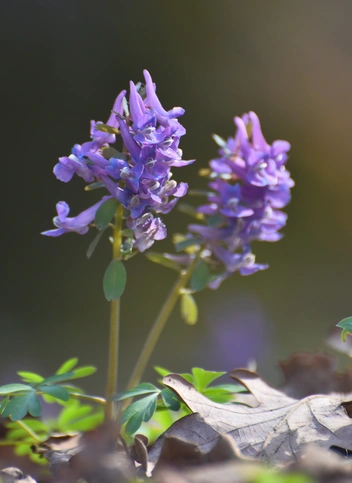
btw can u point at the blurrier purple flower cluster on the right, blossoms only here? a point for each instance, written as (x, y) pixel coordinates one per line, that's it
(249, 186)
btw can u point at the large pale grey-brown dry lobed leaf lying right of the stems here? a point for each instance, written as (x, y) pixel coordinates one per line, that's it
(278, 429)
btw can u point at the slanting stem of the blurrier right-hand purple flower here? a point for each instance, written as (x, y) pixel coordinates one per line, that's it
(160, 323)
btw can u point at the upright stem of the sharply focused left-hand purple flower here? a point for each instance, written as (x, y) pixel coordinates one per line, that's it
(114, 322)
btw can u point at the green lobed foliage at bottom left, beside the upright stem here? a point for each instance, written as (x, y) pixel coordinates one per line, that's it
(23, 400)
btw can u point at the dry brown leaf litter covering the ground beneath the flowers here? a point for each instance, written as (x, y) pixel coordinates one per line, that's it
(303, 432)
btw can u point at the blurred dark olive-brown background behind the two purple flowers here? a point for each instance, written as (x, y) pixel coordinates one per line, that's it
(63, 63)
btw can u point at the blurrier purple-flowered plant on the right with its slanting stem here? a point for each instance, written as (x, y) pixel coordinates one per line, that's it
(248, 187)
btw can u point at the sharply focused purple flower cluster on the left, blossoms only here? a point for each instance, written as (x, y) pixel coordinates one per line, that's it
(140, 176)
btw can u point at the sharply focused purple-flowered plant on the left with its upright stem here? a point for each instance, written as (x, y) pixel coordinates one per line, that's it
(137, 180)
